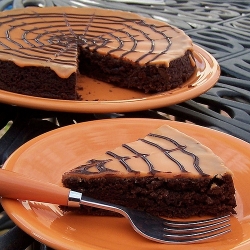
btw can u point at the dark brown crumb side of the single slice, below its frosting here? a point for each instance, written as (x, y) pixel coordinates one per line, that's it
(182, 198)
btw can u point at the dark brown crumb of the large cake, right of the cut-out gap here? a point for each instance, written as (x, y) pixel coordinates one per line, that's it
(127, 74)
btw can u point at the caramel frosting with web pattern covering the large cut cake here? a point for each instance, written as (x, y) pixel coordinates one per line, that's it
(50, 37)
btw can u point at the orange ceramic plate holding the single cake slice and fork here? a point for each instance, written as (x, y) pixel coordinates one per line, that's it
(46, 157)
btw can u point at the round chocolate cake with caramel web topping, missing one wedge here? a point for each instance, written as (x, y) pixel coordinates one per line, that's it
(43, 49)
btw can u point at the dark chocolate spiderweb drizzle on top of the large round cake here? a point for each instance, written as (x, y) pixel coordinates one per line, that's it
(92, 31)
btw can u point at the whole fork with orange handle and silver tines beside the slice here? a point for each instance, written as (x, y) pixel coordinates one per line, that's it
(17, 186)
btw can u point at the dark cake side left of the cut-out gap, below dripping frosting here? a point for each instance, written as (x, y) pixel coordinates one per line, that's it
(36, 81)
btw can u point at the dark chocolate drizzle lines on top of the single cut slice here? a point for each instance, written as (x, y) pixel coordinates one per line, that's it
(99, 165)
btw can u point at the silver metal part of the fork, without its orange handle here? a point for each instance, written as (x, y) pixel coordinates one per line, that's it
(159, 229)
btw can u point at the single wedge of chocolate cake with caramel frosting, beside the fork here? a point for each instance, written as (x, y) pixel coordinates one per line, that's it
(167, 173)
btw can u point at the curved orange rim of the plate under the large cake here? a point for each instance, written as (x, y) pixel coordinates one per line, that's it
(153, 101)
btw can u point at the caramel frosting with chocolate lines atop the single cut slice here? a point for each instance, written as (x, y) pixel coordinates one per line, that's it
(165, 152)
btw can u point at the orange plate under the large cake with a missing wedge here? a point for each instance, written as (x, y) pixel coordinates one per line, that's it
(100, 97)
